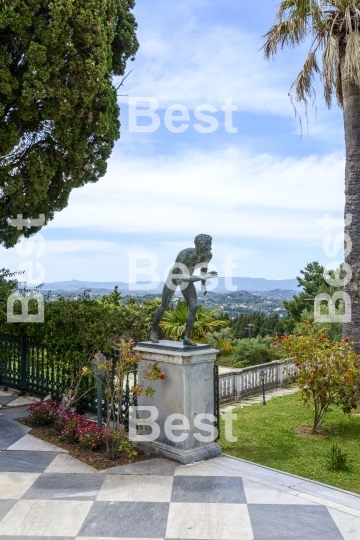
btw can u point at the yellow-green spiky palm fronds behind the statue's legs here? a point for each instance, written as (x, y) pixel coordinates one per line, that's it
(174, 321)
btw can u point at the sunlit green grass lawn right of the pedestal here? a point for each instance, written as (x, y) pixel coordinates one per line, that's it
(266, 436)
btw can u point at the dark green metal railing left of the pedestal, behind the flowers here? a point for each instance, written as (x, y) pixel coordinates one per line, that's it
(27, 366)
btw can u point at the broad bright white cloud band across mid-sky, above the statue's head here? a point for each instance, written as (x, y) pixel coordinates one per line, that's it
(226, 193)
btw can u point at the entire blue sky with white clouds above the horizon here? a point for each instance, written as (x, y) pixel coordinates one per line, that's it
(258, 191)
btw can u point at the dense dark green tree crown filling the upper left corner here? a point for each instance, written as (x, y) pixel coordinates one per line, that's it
(58, 105)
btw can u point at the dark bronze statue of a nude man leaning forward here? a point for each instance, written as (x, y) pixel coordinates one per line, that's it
(182, 274)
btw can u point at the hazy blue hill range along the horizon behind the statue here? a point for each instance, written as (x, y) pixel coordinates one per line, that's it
(242, 283)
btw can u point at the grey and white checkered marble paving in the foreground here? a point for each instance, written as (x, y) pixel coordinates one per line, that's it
(47, 495)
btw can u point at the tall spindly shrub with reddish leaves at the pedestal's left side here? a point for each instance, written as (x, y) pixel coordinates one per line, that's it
(113, 379)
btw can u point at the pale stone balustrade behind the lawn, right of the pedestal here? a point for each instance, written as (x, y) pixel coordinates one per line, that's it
(239, 383)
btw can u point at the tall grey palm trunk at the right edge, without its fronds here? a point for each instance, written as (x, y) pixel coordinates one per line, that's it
(351, 103)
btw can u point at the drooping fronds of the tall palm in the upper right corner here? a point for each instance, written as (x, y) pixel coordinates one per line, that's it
(333, 28)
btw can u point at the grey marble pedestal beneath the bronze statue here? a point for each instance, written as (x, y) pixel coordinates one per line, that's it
(188, 390)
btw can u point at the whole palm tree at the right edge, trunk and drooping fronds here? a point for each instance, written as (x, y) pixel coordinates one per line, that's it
(334, 29)
